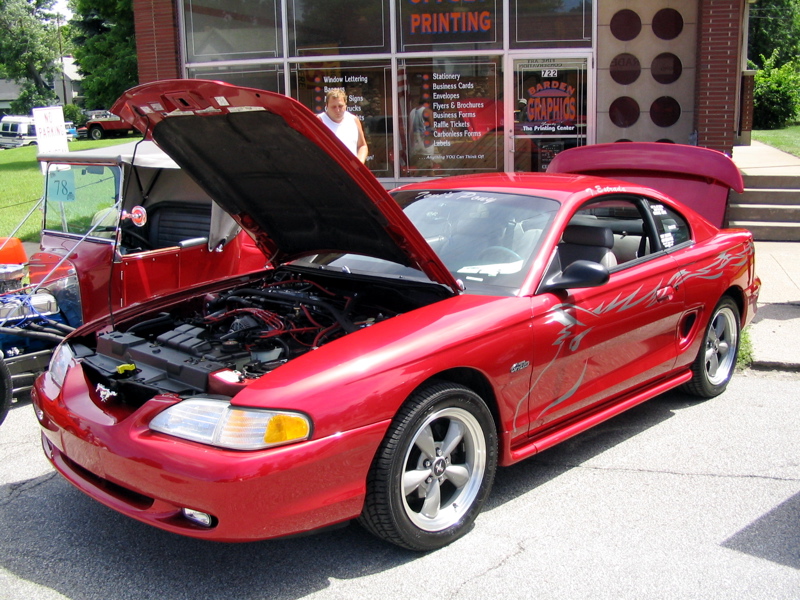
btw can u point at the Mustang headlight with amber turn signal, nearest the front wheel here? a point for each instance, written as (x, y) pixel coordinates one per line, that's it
(217, 423)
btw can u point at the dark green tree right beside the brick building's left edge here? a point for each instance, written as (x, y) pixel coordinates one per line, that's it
(105, 49)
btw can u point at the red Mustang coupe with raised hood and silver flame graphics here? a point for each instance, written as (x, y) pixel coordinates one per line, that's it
(399, 348)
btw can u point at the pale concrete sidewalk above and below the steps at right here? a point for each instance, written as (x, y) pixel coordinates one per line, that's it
(775, 331)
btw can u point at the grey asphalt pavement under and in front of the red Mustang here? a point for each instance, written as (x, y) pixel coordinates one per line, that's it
(676, 499)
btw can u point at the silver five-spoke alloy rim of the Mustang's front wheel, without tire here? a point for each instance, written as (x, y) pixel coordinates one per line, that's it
(444, 469)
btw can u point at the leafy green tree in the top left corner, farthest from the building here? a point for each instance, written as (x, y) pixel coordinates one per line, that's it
(28, 50)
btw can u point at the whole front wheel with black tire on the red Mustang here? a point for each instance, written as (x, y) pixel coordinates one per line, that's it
(434, 469)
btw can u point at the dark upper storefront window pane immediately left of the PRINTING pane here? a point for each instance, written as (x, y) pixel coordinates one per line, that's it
(326, 27)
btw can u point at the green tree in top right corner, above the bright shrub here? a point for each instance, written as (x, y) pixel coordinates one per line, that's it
(774, 26)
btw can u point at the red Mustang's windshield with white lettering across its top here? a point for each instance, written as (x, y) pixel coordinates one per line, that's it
(485, 239)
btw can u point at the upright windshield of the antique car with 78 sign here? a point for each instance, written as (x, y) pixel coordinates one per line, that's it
(81, 199)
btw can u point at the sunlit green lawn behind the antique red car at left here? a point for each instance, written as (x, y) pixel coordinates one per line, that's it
(23, 185)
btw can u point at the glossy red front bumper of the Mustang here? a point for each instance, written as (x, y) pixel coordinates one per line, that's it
(250, 495)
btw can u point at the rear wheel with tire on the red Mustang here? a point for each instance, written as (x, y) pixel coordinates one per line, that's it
(716, 361)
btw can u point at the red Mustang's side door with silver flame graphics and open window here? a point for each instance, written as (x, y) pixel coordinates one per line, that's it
(596, 343)
